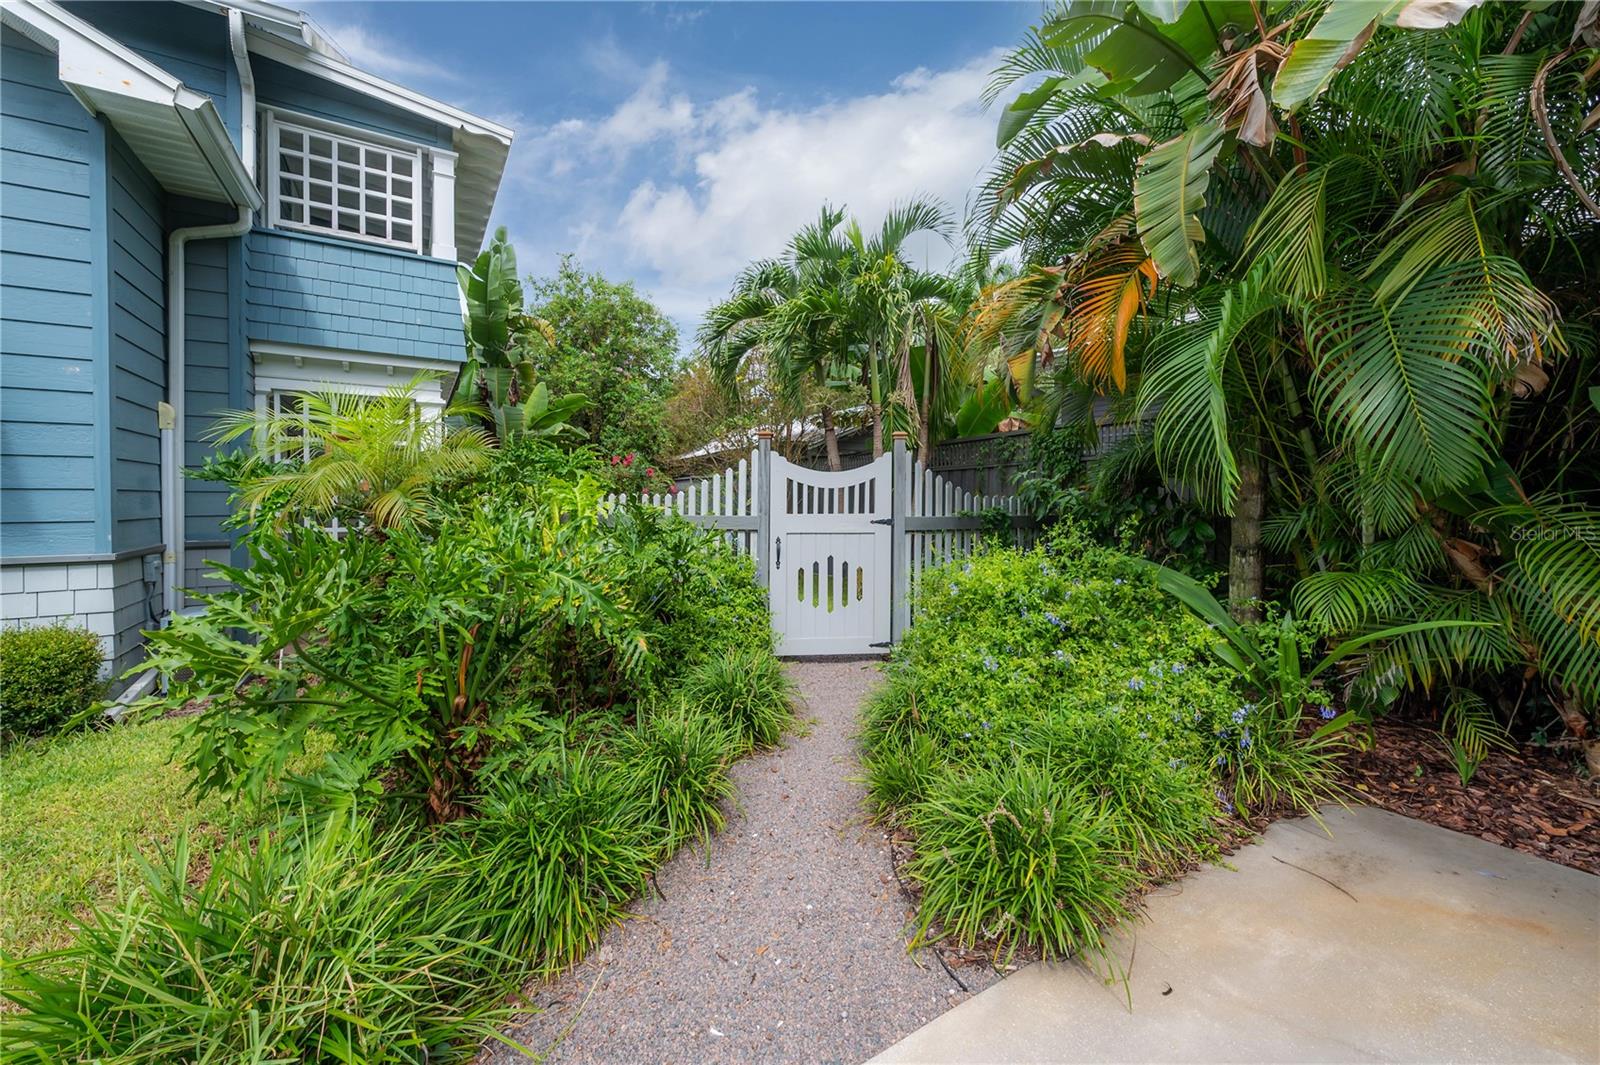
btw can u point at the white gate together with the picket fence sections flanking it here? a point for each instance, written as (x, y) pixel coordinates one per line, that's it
(841, 554)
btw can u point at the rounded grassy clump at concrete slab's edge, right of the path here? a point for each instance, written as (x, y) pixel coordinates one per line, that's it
(1014, 856)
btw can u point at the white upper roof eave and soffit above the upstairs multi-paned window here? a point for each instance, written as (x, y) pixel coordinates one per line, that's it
(294, 39)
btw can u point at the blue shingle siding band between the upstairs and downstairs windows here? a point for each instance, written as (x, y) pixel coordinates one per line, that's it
(321, 292)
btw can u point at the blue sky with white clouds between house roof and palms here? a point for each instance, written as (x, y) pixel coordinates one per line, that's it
(673, 143)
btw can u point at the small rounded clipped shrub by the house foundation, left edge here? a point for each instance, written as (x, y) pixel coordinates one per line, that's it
(49, 676)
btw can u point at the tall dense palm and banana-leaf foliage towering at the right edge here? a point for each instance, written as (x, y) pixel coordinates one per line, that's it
(1340, 330)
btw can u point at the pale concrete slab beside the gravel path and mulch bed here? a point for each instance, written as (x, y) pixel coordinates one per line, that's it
(1390, 941)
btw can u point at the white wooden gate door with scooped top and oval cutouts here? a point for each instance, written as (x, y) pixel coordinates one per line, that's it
(831, 588)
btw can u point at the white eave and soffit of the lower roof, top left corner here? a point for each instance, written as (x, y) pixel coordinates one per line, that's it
(175, 130)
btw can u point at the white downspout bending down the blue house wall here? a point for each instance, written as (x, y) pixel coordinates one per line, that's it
(172, 417)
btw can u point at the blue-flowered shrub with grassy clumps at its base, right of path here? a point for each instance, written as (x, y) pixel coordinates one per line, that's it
(1068, 676)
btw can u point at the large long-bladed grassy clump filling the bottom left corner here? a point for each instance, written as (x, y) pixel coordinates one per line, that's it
(329, 944)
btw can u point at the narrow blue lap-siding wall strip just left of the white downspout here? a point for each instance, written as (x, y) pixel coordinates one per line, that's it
(138, 349)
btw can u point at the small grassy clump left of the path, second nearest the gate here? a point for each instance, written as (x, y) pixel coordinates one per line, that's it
(681, 759)
